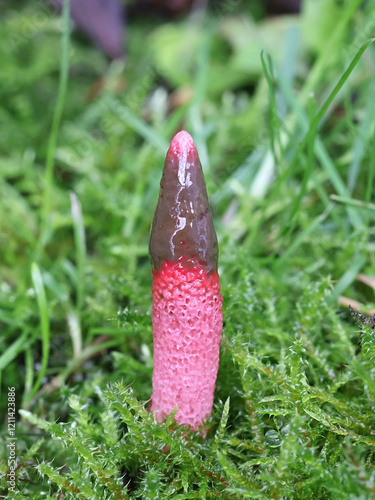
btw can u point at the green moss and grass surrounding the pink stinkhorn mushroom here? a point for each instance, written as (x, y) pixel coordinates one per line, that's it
(293, 413)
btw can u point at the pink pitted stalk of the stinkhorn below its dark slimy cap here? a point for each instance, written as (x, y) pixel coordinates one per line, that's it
(187, 324)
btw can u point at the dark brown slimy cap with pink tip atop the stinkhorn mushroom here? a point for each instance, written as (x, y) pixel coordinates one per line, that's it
(183, 225)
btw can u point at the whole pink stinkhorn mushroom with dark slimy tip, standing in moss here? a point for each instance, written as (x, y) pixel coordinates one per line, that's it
(186, 300)
